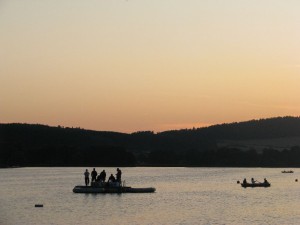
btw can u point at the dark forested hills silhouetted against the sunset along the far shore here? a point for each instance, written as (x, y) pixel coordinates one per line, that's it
(41, 145)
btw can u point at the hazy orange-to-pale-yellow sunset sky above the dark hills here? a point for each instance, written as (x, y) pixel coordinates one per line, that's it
(136, 65)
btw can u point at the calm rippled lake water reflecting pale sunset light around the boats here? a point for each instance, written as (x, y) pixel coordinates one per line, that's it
(183, 196)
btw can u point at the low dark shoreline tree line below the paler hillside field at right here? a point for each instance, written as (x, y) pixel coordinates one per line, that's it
(226, 157)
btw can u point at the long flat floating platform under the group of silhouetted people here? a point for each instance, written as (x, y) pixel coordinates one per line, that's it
(111, 188)
